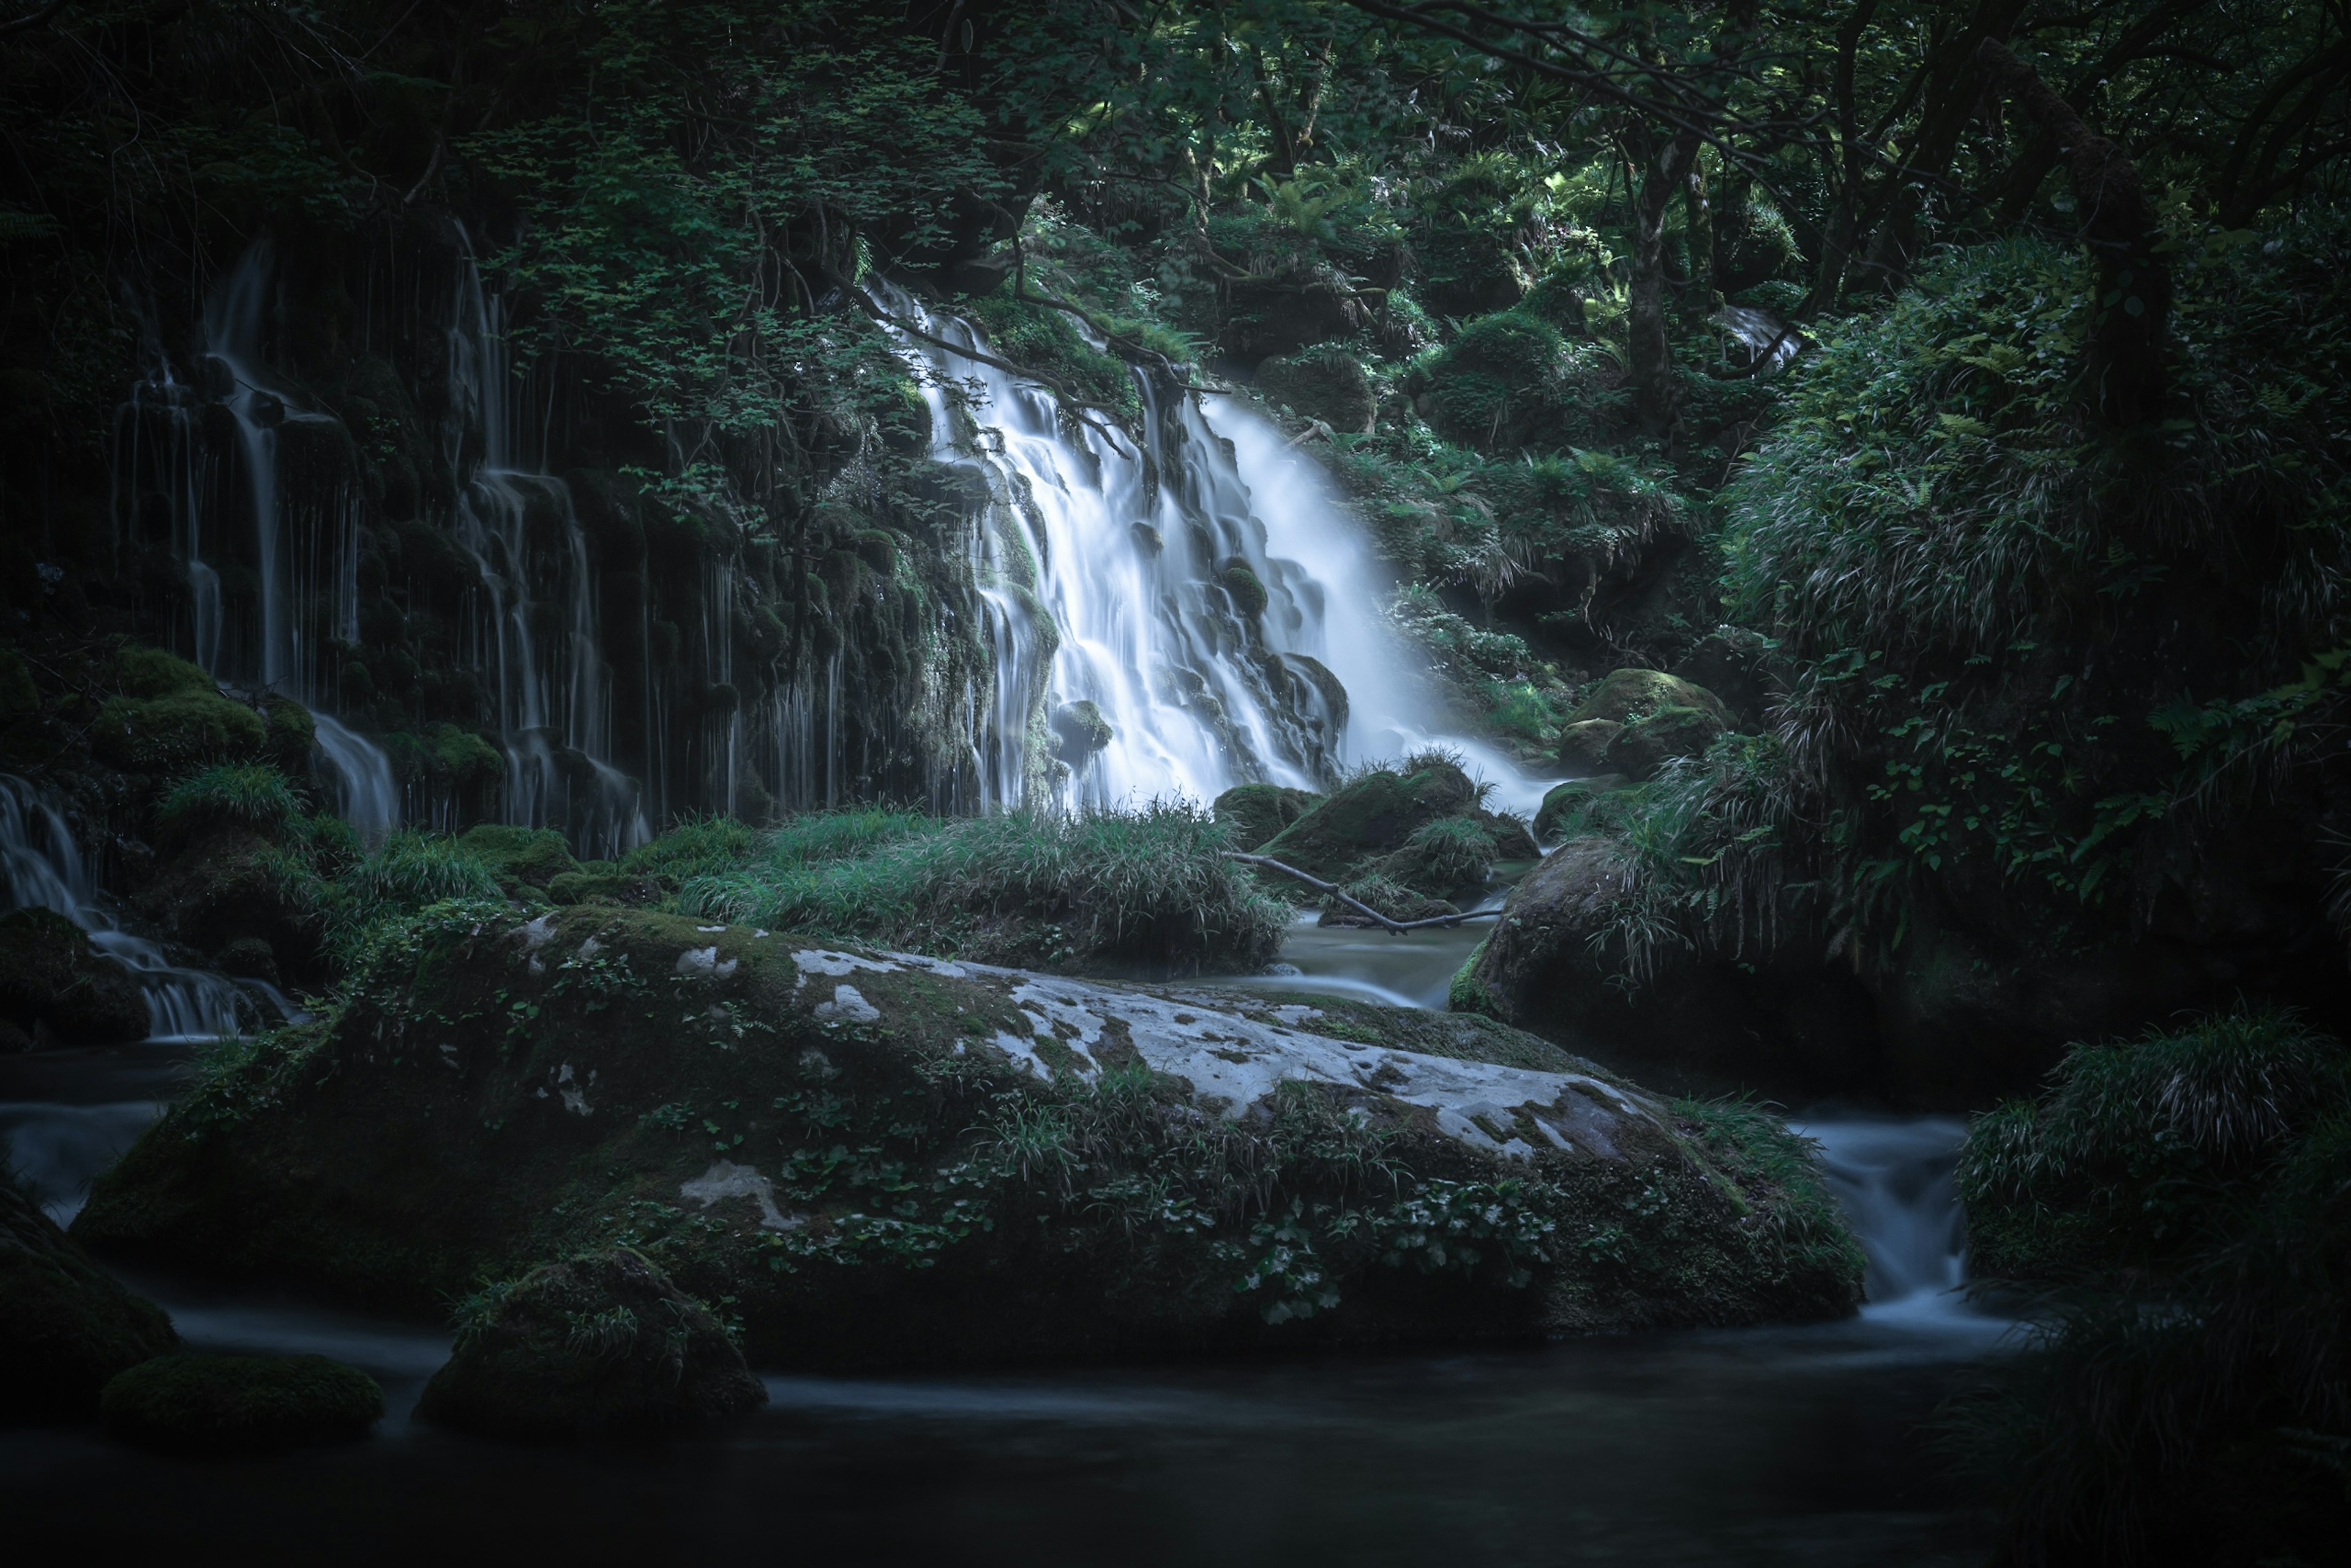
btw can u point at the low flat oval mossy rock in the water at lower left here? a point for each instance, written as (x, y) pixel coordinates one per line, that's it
(239, 1405)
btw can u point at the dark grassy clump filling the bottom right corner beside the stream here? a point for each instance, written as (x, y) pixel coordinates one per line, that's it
(2183, 1202)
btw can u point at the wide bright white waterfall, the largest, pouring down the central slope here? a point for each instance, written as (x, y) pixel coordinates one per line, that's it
(1130, 575)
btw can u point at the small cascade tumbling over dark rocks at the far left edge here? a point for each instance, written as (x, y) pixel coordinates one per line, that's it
(46, 869)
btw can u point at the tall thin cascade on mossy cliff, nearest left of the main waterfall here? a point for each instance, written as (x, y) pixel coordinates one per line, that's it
(535, 624)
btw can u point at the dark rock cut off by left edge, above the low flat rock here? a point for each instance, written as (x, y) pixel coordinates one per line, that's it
(65, 1322)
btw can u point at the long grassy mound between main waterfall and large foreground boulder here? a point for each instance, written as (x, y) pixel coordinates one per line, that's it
(1097, 890)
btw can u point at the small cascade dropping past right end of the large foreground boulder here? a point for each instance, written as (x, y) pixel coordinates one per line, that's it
(1896, 1186)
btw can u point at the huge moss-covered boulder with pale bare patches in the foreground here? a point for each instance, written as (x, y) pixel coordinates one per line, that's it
(890, 1160)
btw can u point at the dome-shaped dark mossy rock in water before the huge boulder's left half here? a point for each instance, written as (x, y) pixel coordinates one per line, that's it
(594, 1346)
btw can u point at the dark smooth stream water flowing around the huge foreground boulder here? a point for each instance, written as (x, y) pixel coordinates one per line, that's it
(1706, 1447)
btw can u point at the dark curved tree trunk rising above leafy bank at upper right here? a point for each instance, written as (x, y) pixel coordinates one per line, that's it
(2124, 361)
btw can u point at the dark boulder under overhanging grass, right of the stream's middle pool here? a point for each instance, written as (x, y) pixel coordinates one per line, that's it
(1581, 958)
